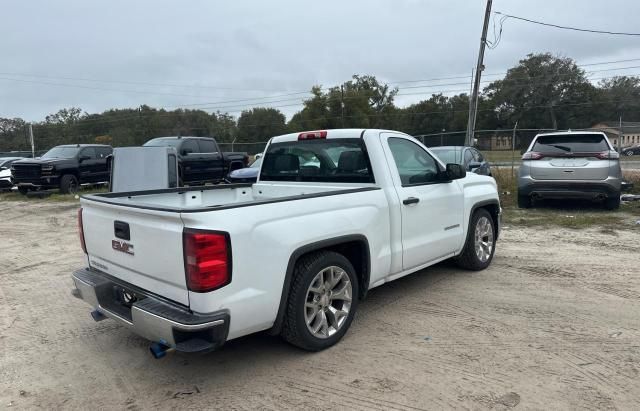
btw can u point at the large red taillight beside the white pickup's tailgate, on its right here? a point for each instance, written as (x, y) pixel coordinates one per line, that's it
(207, 259)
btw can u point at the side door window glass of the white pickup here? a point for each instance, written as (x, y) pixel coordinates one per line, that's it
(415, 165)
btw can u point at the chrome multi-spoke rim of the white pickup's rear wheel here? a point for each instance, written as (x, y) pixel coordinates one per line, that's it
(328, 302)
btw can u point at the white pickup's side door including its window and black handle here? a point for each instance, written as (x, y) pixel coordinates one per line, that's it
(431, 209)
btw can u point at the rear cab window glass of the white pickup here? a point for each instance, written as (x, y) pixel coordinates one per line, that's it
(321, 160)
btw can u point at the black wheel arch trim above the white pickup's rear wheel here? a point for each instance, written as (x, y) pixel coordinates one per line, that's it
(354, 248)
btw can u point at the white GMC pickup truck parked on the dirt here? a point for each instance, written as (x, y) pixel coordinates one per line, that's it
(333, 214)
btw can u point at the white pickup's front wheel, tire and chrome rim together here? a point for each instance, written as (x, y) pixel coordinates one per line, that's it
(480, 245)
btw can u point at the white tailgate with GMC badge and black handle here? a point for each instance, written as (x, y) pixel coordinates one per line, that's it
(141, 247)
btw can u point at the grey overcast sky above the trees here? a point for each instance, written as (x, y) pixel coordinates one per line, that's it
(98, 55)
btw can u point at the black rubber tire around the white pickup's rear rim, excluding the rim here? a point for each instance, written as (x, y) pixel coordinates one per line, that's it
(294, 328)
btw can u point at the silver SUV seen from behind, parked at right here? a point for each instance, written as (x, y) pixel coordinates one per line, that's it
(563, 165)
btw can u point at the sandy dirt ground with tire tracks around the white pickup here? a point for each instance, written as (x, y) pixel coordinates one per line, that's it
(554, 323)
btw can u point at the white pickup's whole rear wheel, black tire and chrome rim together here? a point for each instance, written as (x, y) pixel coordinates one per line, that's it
(322, 301)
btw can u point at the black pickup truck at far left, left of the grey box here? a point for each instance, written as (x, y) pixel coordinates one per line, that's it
(65, 167)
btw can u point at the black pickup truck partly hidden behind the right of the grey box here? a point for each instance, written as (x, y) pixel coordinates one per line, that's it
(200, 159)
